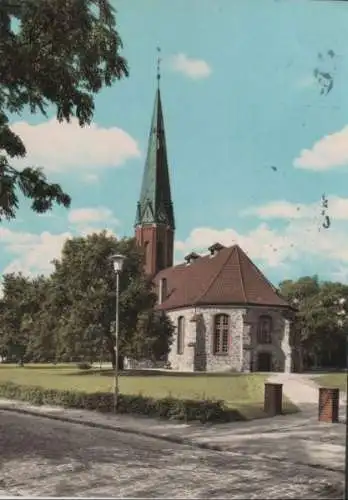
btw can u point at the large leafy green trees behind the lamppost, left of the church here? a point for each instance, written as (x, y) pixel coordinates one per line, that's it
(71, 314)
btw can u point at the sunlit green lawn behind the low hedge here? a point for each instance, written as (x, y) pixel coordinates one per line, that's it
(242, 392)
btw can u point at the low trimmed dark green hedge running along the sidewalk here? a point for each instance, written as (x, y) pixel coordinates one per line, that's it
(169, 408)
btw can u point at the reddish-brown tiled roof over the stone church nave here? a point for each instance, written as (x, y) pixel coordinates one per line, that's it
(228, 277)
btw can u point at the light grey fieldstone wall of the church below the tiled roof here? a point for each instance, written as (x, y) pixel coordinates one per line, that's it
(243, 349)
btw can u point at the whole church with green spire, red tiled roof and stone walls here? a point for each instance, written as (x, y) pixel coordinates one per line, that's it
(227, 315)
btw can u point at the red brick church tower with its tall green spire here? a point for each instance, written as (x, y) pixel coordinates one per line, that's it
(154, 223)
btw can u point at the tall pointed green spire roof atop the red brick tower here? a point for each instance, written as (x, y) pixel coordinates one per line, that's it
(155, 204)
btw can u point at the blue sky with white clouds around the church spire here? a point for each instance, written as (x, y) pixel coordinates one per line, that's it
(239, 98)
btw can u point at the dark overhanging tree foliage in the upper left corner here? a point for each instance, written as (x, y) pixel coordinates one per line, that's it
(58, 53)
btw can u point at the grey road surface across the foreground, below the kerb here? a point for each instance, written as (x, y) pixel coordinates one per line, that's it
(42, 457)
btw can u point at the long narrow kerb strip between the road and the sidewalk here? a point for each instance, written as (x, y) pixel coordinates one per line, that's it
(163, 437)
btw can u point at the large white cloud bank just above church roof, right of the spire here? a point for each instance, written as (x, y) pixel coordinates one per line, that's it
(301, 241)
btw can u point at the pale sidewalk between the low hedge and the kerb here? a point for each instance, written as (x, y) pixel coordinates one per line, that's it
(298, 438)
